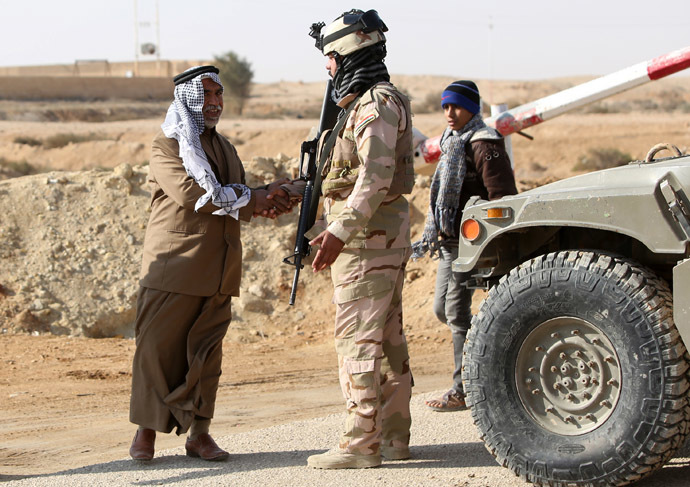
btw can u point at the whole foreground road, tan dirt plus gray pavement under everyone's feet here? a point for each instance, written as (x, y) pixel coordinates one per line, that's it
(65, 423)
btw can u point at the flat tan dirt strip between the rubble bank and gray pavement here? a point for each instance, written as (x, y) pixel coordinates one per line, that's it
(66, 400)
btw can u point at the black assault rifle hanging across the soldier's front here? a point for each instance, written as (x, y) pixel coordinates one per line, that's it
(308, 171)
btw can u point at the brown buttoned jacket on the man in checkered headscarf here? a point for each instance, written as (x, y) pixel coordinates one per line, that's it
(188, 252)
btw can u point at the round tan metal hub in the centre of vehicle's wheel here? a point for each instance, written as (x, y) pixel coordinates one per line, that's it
(568, 376)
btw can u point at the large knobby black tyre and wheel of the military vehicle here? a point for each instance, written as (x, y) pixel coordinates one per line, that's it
(575, 373)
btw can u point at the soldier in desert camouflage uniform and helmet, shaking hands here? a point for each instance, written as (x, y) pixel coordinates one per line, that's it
(367, 241)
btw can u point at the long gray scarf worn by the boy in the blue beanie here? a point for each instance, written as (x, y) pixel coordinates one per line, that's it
(444, 194)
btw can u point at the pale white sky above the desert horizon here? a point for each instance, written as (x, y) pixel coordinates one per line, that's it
(529, 39)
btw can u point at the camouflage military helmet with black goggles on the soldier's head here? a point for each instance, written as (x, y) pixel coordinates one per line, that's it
(352, 31)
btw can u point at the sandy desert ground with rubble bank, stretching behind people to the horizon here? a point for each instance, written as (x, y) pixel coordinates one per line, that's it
(71, 232)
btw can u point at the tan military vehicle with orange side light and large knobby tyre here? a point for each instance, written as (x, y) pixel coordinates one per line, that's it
(576, 366)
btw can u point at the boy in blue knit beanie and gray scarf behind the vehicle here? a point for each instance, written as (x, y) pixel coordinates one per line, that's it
(473, 162)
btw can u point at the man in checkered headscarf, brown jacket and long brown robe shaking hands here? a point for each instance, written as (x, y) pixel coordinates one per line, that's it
(191, 267)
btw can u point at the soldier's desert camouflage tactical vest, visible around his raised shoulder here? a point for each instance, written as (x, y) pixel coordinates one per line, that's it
(340, 173)
